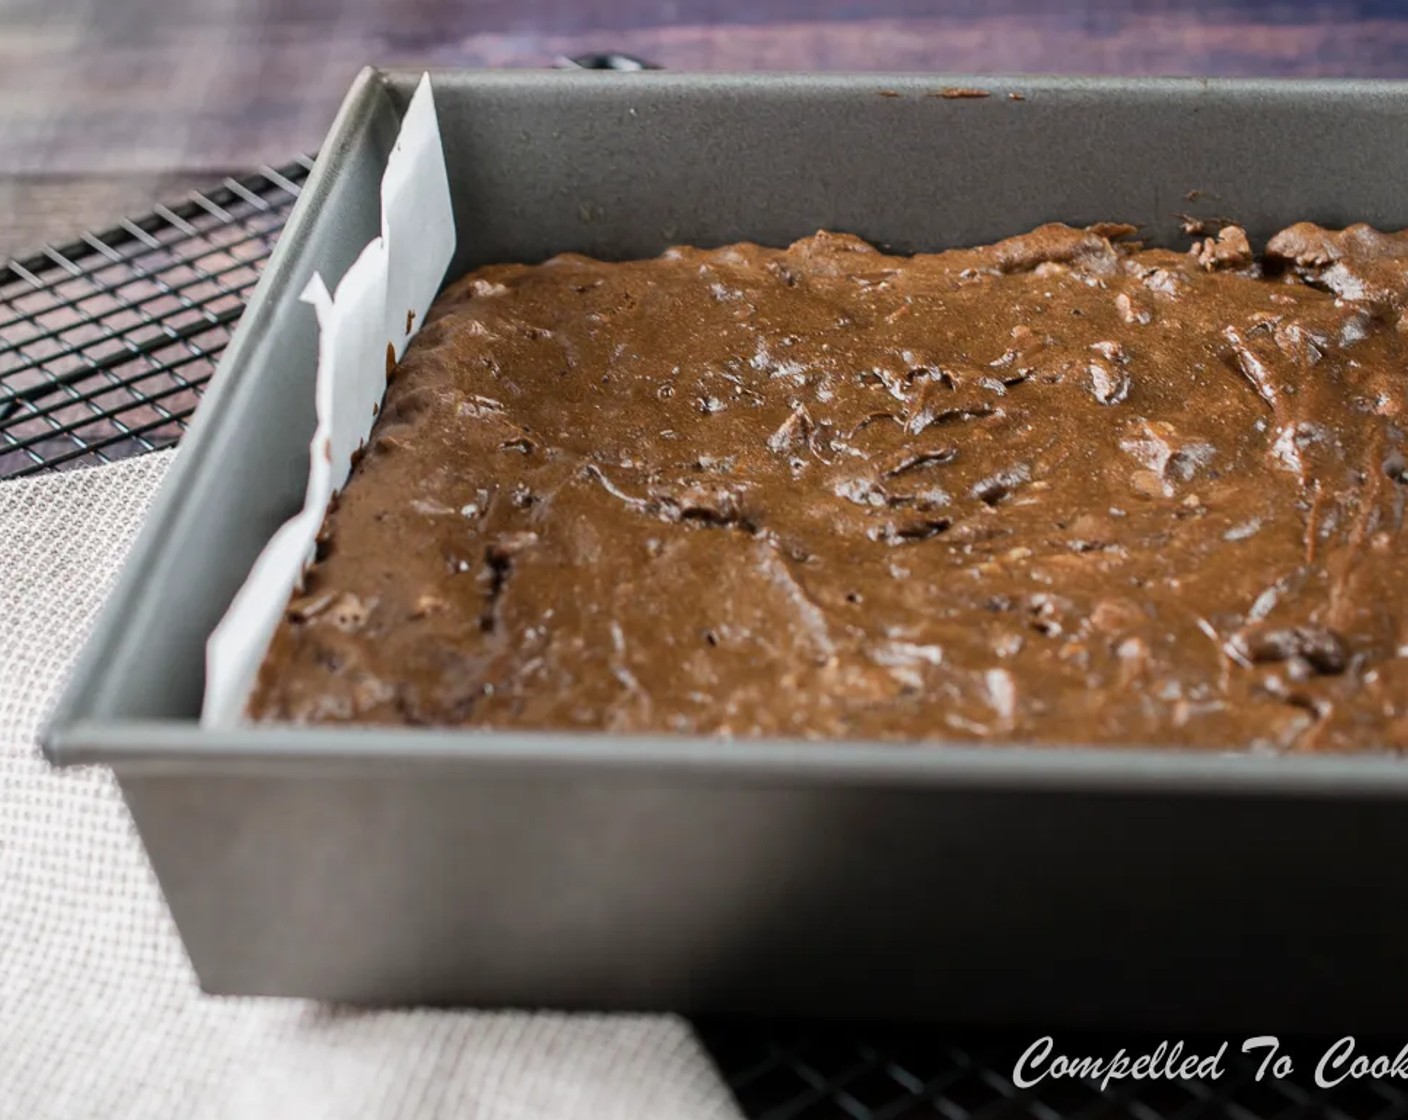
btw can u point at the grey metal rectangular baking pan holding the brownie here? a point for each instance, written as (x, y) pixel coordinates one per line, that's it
(1081, 887)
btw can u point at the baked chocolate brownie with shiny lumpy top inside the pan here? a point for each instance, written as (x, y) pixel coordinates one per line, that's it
(1057, 490)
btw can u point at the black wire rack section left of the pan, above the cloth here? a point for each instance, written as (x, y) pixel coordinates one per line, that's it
(108, 343)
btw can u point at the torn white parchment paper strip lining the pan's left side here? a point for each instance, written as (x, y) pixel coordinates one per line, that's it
(379, 304)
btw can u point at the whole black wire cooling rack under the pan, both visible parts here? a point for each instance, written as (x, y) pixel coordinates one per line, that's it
(105, 349)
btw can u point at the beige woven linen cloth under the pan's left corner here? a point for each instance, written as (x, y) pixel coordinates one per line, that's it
(99, 1011)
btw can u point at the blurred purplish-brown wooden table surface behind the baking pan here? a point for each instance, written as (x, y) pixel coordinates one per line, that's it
(108, 106)
